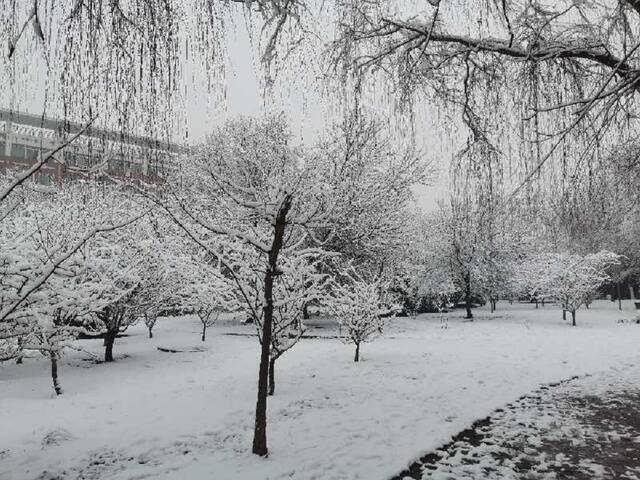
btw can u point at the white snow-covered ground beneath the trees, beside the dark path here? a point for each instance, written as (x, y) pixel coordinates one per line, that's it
(189, 415)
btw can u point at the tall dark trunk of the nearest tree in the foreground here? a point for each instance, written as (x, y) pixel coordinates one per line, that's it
(260, 431)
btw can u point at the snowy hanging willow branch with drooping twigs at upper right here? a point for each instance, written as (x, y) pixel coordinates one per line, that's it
(477, 58)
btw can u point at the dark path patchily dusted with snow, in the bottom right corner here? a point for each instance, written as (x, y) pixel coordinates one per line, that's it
(586, 428)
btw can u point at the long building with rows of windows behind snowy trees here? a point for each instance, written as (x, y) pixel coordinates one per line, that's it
(24, 137)
